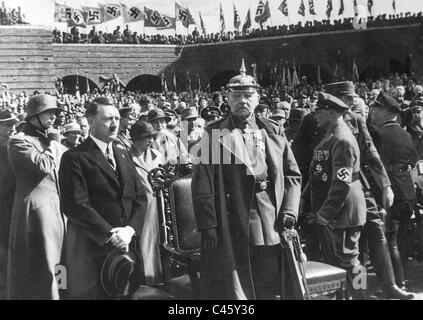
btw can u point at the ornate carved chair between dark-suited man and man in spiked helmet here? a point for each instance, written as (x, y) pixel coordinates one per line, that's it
(180, 240)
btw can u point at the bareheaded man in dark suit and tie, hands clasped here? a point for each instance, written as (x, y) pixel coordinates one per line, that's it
(103, 200)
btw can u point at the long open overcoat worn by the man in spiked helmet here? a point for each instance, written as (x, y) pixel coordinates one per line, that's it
(222, 196)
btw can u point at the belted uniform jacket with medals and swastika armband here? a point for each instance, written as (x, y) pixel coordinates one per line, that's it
(335, 191)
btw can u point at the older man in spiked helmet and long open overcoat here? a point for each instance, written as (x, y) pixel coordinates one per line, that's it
(246, 190)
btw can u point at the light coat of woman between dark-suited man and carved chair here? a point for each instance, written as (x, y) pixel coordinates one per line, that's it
(150, 237)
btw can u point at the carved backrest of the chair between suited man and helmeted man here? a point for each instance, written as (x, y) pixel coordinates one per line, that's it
(172, 187)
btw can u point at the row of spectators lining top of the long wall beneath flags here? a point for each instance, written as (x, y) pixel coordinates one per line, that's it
(128, 37)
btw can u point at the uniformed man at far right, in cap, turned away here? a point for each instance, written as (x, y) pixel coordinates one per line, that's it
(399, 155)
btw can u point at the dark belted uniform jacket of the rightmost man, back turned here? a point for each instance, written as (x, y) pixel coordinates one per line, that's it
(396, 147)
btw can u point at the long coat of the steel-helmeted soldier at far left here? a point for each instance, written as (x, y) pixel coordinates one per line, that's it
(38, 226)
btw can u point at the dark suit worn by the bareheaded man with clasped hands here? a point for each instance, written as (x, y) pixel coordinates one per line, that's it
(95, 200)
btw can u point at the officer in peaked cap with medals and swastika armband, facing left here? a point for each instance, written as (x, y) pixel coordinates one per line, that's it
(334, 192)
